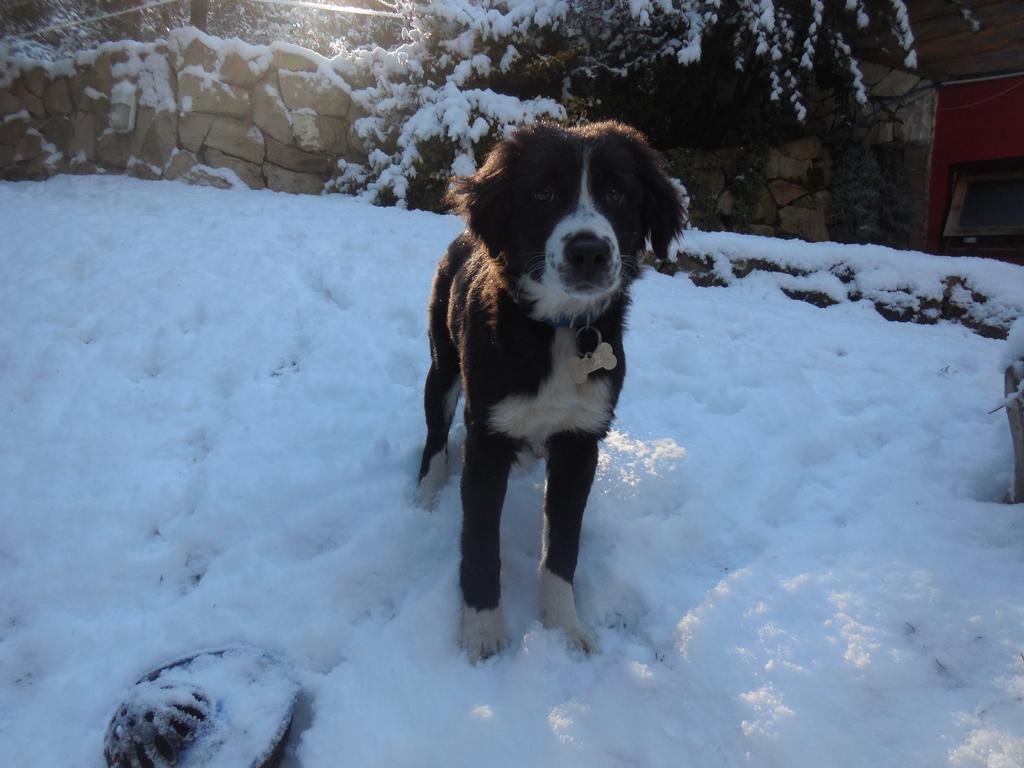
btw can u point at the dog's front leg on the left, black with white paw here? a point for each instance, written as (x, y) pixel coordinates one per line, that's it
(488, 460)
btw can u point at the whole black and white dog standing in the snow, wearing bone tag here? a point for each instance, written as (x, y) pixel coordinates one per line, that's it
(527, 320)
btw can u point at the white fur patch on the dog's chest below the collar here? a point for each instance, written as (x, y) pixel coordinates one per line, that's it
(560, 406)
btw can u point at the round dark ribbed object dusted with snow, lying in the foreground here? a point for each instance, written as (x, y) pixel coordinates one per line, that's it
(230, 708)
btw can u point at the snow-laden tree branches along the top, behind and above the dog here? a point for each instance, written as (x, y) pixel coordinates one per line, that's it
(448, 91)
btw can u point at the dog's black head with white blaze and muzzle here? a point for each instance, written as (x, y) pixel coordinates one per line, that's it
(568, 210)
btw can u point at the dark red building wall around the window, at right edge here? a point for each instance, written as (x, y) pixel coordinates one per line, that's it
(978, 125)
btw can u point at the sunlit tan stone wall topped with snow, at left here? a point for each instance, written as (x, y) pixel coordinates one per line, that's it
(192, 108)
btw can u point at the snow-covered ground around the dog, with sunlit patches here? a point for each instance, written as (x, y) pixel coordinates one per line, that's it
(795, 552)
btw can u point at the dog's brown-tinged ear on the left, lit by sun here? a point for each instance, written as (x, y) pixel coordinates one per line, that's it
(485, 200)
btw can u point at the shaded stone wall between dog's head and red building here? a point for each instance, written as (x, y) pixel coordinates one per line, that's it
(867, 184)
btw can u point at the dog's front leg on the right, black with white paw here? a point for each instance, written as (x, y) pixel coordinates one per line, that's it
(572, 462)
